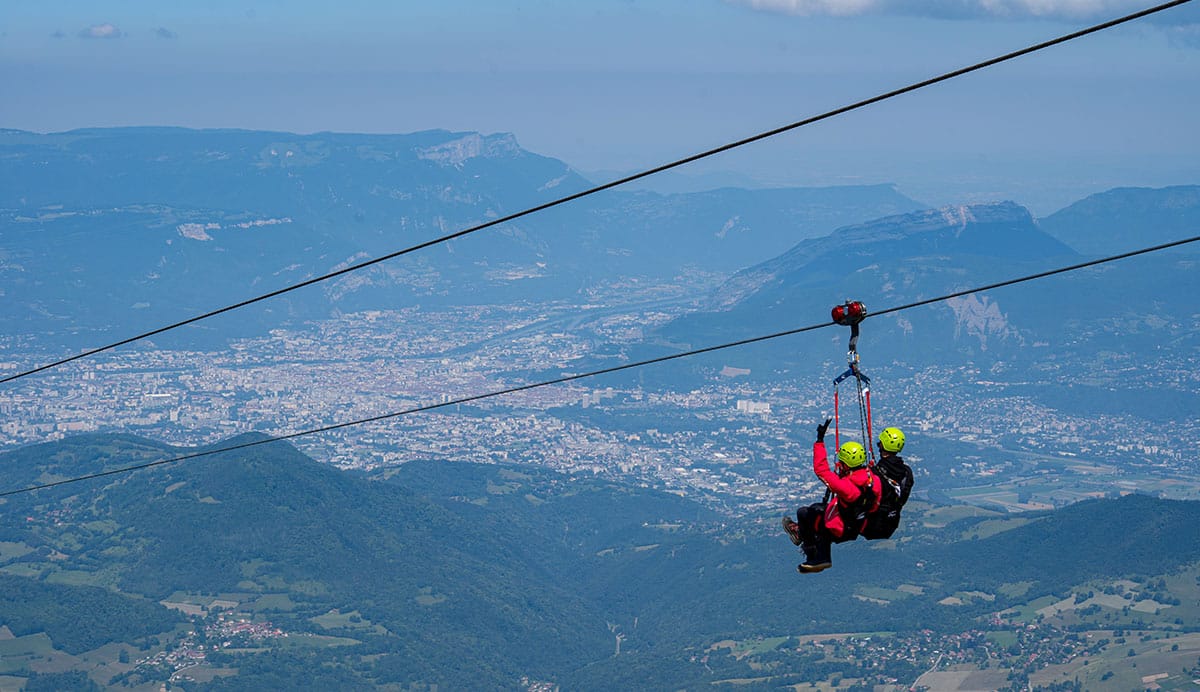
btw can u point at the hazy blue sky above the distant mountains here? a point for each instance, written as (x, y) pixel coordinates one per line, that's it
(627, 85)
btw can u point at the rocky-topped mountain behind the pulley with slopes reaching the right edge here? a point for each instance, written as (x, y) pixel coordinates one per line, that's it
(908, 258)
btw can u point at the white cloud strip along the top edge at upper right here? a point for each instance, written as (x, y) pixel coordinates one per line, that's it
(965, 9)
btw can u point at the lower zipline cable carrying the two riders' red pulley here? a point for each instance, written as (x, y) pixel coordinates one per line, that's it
(596, 374)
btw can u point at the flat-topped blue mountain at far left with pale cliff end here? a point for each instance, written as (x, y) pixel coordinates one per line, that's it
(140, 226)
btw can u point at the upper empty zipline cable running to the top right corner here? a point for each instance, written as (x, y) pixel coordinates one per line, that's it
(617, 183)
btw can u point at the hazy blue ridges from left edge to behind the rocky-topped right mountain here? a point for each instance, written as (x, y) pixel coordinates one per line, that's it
(142, 226)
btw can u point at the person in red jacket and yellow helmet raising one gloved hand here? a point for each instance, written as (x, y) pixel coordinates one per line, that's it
(851, 496)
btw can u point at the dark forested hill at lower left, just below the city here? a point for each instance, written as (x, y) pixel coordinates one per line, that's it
(271, 518)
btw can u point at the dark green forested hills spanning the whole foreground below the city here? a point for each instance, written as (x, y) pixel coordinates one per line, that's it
(532, 573)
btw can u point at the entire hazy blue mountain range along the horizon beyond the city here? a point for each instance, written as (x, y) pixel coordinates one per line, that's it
(140, 227)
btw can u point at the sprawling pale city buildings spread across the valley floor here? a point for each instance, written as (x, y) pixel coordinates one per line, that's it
(722, 438)
